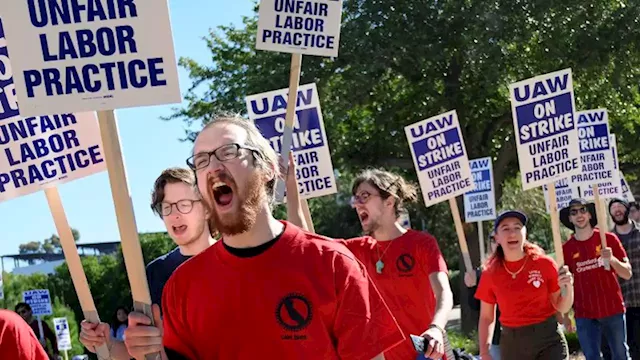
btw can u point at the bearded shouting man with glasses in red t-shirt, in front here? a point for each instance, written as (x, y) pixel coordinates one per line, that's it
(268, 289)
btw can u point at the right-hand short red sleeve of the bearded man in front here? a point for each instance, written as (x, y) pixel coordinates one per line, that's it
(364, 326)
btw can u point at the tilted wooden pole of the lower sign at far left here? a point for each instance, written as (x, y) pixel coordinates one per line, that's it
(72, 258)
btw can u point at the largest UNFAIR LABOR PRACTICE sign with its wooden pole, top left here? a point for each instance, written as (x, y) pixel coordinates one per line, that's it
(96, 55)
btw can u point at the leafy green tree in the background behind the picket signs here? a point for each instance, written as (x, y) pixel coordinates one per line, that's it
(402, 63)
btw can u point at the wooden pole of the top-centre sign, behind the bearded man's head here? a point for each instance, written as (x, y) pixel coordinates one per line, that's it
(287, 136)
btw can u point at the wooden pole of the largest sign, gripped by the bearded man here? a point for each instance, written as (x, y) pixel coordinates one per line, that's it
(131, 250)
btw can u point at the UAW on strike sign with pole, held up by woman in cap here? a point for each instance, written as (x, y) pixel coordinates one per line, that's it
(543, 110)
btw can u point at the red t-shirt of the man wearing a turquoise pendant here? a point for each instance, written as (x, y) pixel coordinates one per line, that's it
(404, 282)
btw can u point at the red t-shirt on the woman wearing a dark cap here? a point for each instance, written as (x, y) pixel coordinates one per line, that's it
(525, 300)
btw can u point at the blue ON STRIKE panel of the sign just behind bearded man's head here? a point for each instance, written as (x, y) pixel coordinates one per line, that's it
(307, 133)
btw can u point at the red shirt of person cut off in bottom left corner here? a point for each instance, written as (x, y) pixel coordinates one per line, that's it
(17, 340)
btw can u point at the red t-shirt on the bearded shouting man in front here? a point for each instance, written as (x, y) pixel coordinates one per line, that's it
(305, 297)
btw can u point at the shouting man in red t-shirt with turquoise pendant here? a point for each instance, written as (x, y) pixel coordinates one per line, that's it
(406, 265)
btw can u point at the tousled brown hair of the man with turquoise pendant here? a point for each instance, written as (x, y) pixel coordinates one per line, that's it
(387, 184)
